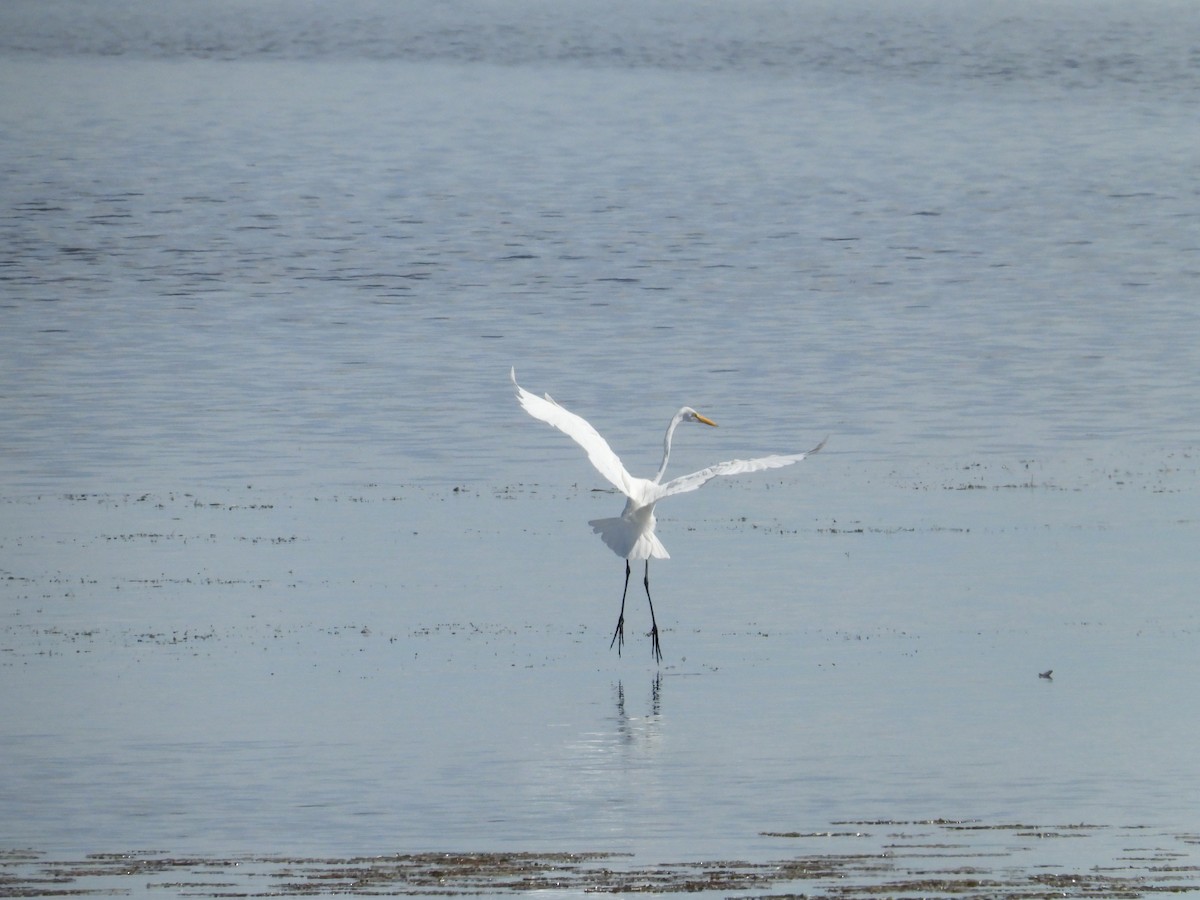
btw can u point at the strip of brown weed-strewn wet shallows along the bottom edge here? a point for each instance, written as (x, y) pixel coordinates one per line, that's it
(854, 860)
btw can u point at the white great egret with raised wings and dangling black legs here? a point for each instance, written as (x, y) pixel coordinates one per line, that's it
(632, 535)
